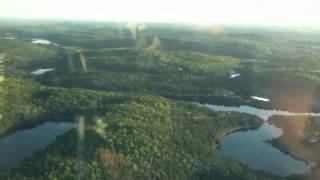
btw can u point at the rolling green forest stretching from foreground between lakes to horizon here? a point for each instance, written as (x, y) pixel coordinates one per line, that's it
(138, 95)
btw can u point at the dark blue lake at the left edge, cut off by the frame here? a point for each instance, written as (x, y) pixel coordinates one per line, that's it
(22, 144)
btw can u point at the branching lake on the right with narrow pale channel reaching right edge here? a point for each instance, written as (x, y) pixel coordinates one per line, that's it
(251, 145)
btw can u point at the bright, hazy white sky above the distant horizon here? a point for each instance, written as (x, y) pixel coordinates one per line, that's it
(278, 12)
